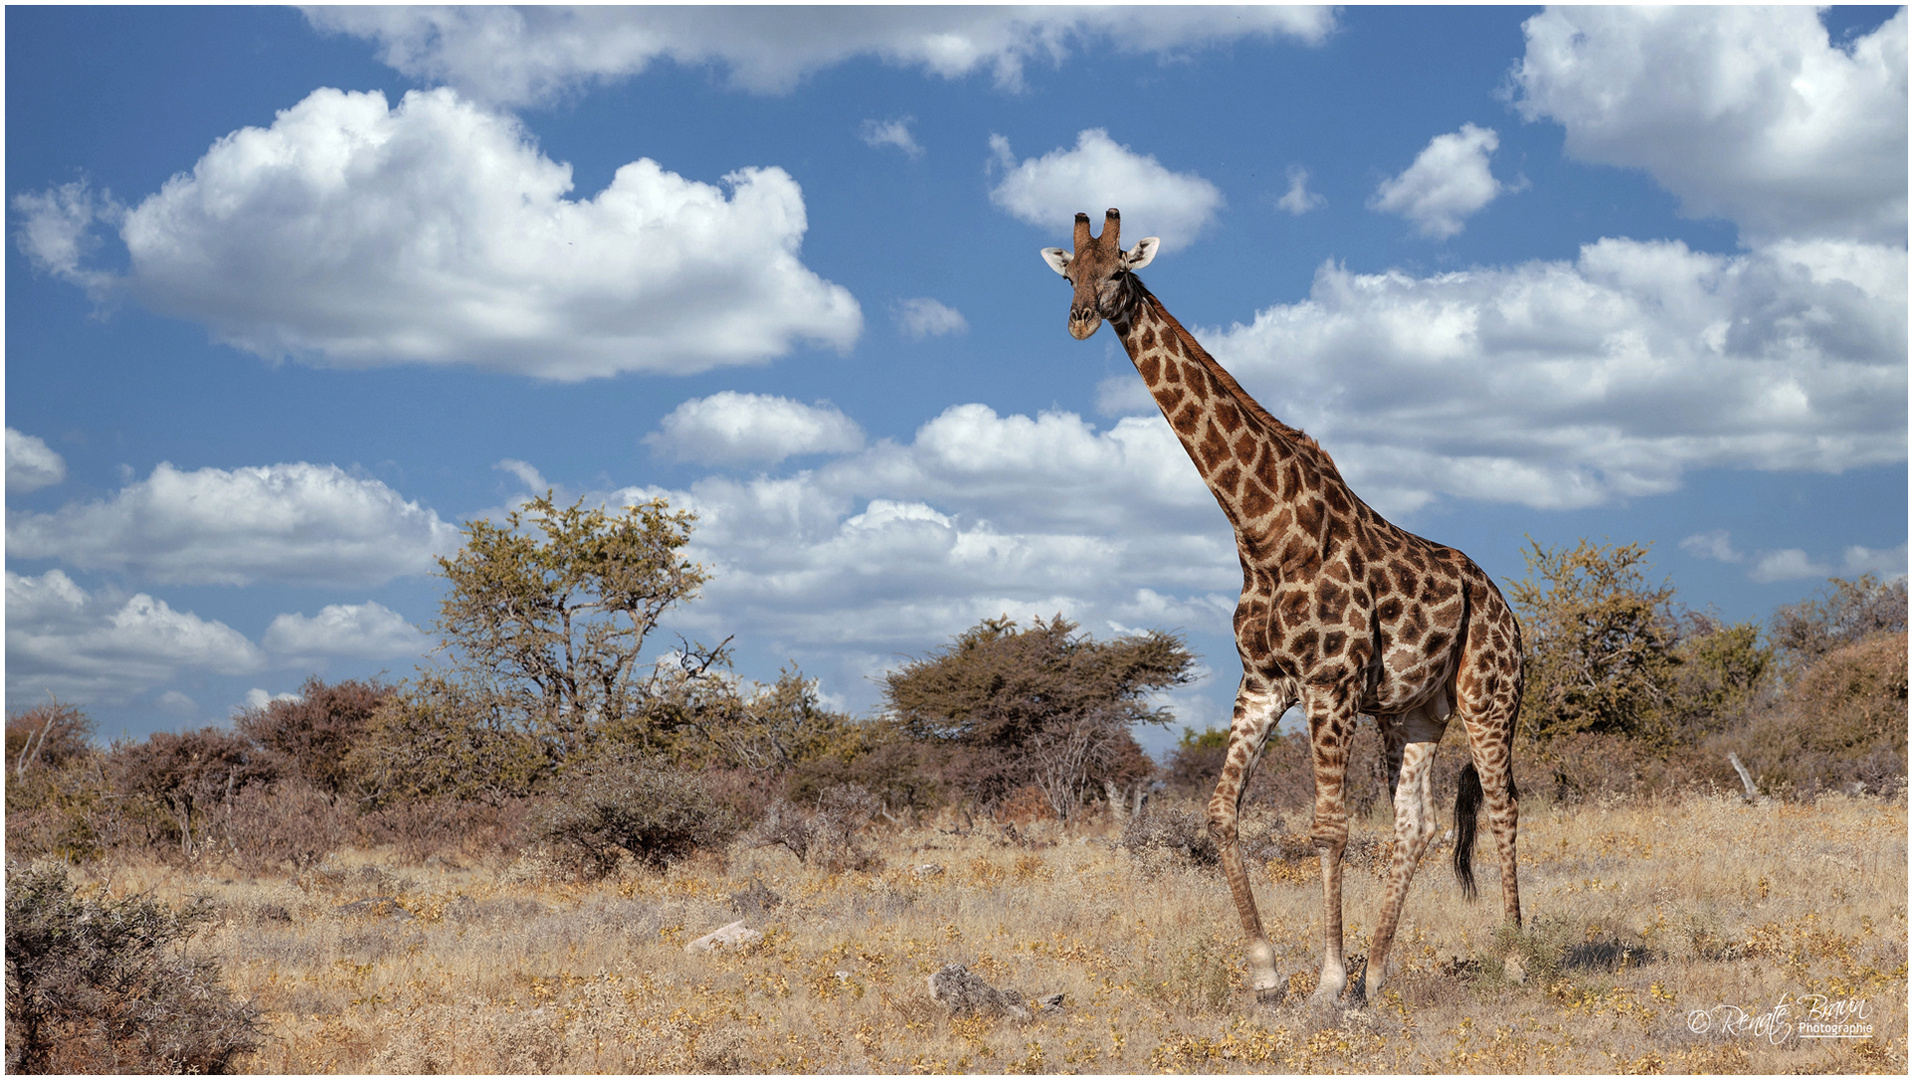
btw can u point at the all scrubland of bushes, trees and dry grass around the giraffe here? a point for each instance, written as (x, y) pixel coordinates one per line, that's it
(496, 865)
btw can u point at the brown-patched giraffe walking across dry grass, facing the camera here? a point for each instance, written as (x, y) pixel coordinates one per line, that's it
(1340, 613)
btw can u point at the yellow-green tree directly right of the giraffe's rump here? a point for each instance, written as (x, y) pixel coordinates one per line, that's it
(1600, 643)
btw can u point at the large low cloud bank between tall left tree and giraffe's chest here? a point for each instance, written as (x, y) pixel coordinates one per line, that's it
(904, 544)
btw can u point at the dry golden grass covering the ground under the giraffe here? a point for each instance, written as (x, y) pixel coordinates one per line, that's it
(1640, 915)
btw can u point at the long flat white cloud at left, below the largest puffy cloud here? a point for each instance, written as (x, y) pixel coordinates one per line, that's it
(280, 523)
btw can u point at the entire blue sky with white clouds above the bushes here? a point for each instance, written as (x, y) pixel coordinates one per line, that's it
(292, 295)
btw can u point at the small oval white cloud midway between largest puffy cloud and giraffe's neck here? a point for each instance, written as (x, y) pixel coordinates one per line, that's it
(734, 427)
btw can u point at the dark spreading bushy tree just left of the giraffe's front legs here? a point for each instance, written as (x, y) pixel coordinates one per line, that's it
(1038, 706)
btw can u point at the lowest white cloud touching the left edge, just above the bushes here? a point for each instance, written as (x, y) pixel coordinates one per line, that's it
(100, 649)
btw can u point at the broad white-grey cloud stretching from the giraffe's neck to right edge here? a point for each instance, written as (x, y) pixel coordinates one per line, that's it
(1575, 383)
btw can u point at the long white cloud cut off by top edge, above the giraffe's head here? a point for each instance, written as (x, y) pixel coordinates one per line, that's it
(535, 54)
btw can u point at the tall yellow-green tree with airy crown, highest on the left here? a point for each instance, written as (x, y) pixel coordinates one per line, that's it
(550, 611)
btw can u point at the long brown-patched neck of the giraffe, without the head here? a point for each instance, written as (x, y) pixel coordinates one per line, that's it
(1250, 460)
